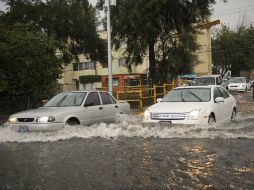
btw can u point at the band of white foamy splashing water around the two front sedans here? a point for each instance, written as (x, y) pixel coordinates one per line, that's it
(131, 126)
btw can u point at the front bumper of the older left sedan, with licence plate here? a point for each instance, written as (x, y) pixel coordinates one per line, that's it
(35, 126)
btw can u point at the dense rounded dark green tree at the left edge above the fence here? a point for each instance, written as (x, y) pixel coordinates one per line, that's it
(28, 65)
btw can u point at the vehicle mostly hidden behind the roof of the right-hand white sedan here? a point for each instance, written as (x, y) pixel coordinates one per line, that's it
(208, 80)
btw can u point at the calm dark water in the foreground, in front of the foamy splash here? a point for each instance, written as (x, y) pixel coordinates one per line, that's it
(128, 163)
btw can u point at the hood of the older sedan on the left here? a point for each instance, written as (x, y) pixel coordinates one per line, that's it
(40, 112)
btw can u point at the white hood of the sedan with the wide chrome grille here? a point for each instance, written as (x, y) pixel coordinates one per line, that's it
(177, 107)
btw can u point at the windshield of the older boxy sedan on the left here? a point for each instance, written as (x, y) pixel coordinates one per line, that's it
(66, 99)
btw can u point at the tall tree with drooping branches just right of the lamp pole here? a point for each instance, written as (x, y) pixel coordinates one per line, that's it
(165, 28)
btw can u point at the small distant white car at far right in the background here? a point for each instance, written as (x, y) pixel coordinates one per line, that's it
(239, 84)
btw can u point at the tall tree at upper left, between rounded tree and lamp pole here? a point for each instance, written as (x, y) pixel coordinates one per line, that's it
(71, 21)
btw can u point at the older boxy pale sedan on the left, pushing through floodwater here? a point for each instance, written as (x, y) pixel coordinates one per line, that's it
(71, 108)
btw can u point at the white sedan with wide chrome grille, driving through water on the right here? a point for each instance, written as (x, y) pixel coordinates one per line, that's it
(194, 105)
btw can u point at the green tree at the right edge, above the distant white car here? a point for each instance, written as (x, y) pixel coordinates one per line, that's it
(234, 49)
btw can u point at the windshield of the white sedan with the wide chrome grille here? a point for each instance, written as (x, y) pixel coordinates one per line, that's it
(188, 95)
